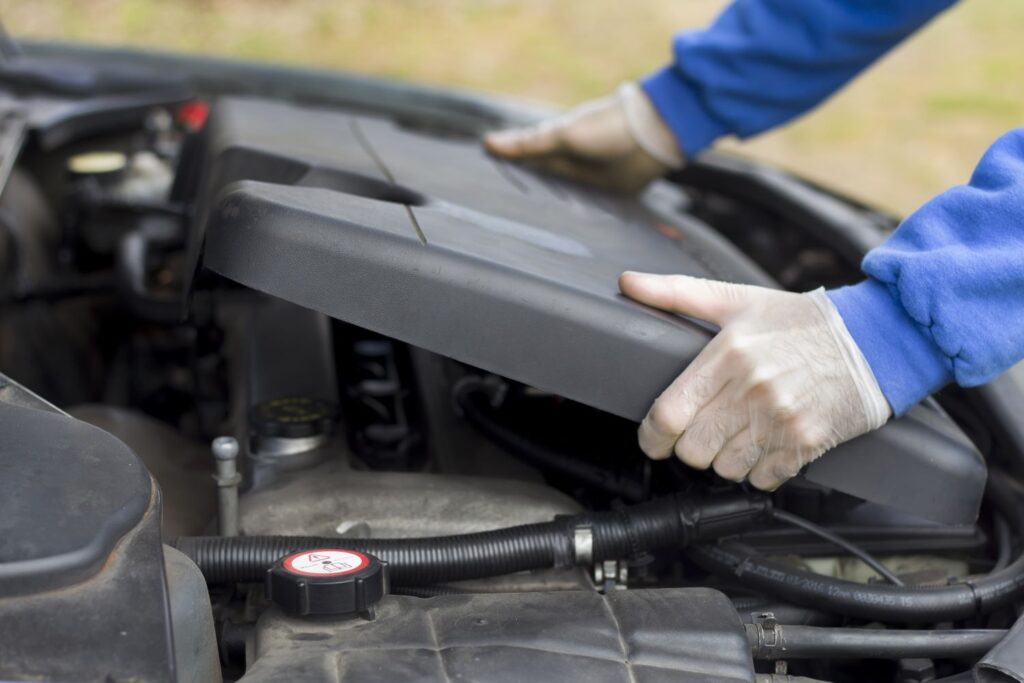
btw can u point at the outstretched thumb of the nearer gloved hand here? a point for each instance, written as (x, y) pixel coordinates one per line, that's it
(705, 300)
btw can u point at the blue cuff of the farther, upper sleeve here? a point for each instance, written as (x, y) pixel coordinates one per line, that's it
(682, 110)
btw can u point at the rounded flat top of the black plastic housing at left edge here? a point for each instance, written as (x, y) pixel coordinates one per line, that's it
(68, 493)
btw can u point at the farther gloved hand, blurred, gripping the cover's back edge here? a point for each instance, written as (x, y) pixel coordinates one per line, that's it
(619, 143)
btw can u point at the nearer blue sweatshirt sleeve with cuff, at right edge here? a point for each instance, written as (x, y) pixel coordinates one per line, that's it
(946, 298)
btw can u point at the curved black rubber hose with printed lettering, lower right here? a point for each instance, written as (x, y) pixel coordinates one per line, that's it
(906, 605)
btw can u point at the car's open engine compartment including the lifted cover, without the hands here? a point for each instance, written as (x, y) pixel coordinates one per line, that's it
(402, 348)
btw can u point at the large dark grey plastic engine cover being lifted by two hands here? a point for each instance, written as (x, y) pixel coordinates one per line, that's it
(432, 242)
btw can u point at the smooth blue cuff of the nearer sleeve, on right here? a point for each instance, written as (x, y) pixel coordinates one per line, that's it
(907, 363)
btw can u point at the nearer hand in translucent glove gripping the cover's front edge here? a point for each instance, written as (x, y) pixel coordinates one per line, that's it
(781, 385)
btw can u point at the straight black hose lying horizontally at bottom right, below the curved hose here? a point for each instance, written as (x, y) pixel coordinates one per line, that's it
(810, 643)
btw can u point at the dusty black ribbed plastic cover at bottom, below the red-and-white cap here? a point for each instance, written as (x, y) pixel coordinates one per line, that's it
(685, 635)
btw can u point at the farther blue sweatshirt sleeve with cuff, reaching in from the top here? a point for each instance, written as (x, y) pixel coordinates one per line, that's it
(763, 63)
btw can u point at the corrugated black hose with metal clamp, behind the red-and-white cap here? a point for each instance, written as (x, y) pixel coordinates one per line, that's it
(668, 523)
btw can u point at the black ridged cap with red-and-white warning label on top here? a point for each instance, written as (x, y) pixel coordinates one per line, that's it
(327, 581)
